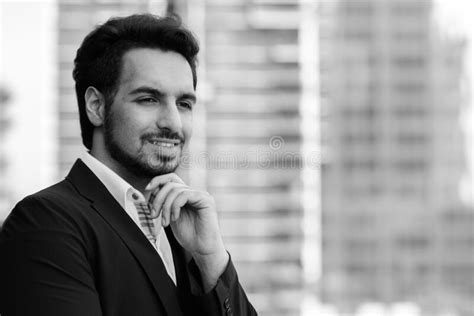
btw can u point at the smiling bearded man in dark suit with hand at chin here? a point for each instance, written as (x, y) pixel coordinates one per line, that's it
(123, 234)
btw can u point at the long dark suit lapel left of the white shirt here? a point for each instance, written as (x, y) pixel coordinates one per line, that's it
(103, 202)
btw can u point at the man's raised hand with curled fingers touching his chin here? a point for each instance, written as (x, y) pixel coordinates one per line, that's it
(193, 219)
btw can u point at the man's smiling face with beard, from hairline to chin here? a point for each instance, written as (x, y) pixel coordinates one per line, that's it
(150, 119)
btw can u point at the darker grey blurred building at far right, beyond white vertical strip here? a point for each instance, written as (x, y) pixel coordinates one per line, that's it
(394, 227)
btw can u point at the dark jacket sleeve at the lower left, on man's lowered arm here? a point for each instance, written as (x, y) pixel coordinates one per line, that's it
(43, 265)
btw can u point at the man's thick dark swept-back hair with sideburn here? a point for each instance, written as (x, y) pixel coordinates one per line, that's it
(98, 62)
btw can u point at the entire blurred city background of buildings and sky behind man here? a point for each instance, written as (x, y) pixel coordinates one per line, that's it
(335, 135)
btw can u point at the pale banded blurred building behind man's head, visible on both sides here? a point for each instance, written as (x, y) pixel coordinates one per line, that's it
(249, 84)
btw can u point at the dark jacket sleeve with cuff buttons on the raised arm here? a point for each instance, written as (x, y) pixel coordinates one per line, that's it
(227, 298)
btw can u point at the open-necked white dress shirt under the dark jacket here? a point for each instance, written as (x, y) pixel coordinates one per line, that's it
(126, 195)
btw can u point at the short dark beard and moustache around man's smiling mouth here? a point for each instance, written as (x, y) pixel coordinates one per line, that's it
(146, 163)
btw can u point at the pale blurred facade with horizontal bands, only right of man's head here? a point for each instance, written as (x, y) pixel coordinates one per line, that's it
(252, 66)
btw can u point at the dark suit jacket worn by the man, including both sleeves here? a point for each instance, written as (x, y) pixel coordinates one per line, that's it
(72, 250)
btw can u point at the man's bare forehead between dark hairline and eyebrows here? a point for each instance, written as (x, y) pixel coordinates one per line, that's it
(164, 70)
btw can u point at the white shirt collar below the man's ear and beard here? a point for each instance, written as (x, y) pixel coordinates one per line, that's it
(120, 189)
